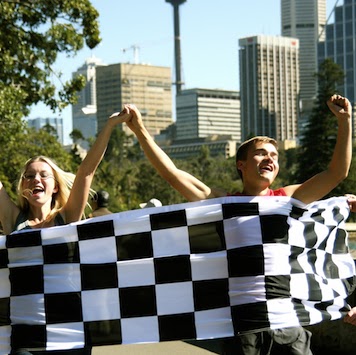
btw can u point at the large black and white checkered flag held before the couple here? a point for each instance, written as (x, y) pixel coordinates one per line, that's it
(199, 270)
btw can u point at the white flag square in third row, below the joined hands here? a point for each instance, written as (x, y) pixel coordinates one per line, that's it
(139, 272)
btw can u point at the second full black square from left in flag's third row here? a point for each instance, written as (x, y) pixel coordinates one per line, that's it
(98, 276)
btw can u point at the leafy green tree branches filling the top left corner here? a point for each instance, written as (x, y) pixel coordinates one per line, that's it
(32, 34)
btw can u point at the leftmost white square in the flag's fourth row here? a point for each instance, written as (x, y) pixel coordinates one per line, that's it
(28, 309)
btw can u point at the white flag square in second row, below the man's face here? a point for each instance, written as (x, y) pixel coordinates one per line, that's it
(242, 232)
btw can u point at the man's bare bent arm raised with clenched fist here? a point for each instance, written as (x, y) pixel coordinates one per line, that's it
(321, 184)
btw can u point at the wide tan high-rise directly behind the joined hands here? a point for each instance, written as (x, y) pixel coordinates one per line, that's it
(148, 87)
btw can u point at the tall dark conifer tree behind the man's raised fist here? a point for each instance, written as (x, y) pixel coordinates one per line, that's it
(319, 138)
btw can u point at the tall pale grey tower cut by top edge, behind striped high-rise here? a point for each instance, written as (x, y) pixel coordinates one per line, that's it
(305, 20)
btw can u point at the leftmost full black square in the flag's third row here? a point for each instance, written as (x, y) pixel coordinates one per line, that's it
(26, 280)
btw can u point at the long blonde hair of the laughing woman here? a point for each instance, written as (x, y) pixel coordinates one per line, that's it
(64, 182)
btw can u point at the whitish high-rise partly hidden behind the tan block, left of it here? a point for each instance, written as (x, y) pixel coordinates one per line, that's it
(84, 111)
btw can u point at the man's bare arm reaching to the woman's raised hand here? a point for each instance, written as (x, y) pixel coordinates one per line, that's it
(186, 184)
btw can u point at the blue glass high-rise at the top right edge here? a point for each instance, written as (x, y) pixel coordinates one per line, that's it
(339, 45)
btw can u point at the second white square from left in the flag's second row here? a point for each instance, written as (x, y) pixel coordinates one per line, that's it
(98, 250)
